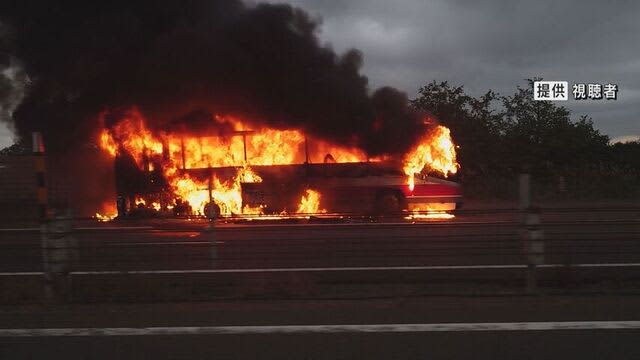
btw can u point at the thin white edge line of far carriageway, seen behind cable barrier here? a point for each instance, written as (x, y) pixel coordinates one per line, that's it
(328, 269)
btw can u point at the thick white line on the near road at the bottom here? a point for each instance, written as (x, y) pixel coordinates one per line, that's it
(327, 329)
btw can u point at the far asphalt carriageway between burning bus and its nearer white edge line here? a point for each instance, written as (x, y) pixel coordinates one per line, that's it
(475, 239)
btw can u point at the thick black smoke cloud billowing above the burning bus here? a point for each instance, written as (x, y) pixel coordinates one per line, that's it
(177, 60)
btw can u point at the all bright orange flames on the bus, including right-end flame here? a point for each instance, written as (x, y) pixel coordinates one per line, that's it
(239, 150)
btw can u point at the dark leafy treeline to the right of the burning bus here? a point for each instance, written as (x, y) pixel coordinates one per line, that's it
(502, 136)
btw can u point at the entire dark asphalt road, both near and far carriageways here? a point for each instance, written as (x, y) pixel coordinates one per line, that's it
(473, 247)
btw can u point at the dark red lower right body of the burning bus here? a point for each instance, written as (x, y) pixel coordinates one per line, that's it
(354, 188)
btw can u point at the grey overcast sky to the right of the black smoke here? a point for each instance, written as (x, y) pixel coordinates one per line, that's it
(492, 45)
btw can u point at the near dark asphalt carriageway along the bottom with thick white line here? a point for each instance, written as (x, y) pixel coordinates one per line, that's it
(594, 327)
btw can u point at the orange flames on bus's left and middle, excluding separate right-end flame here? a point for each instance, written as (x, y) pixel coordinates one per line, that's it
(240, 150)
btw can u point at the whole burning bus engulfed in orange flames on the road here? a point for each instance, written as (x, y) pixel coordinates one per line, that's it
(235, 168)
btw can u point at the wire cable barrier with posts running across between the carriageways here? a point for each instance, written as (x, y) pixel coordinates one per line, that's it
(523, 244)
